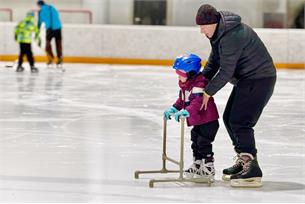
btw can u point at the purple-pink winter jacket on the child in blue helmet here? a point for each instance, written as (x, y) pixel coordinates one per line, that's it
(190, 99)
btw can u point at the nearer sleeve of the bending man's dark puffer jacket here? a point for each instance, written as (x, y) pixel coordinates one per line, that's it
(230, 51)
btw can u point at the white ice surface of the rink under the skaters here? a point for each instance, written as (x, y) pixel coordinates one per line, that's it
(78, 136)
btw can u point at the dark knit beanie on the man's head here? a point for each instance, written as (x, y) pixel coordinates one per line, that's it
(207, 14)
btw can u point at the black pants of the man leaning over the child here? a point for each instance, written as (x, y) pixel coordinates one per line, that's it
(244, 107)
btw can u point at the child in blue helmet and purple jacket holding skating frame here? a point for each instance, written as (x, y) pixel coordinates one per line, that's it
(205, 122)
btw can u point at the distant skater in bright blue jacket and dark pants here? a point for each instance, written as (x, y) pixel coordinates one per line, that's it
(50, 17)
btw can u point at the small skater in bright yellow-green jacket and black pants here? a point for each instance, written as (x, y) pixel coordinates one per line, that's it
(23, 35)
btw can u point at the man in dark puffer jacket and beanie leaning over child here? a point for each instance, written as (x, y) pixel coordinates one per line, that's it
(238, 56)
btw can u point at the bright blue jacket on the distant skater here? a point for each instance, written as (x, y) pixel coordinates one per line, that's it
(50, 16)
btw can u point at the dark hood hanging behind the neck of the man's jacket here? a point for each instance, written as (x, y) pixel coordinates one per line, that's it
(228, 21)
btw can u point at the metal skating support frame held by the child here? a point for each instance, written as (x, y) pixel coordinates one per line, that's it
(180, 163)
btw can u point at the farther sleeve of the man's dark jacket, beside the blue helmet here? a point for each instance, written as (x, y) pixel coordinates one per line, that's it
(212, 66)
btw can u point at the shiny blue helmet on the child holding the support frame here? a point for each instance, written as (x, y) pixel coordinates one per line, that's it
(188, 63)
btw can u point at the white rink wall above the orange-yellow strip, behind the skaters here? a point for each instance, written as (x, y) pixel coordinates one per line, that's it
(153, 42)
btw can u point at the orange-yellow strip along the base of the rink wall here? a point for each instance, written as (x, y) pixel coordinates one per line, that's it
(129, 61)
